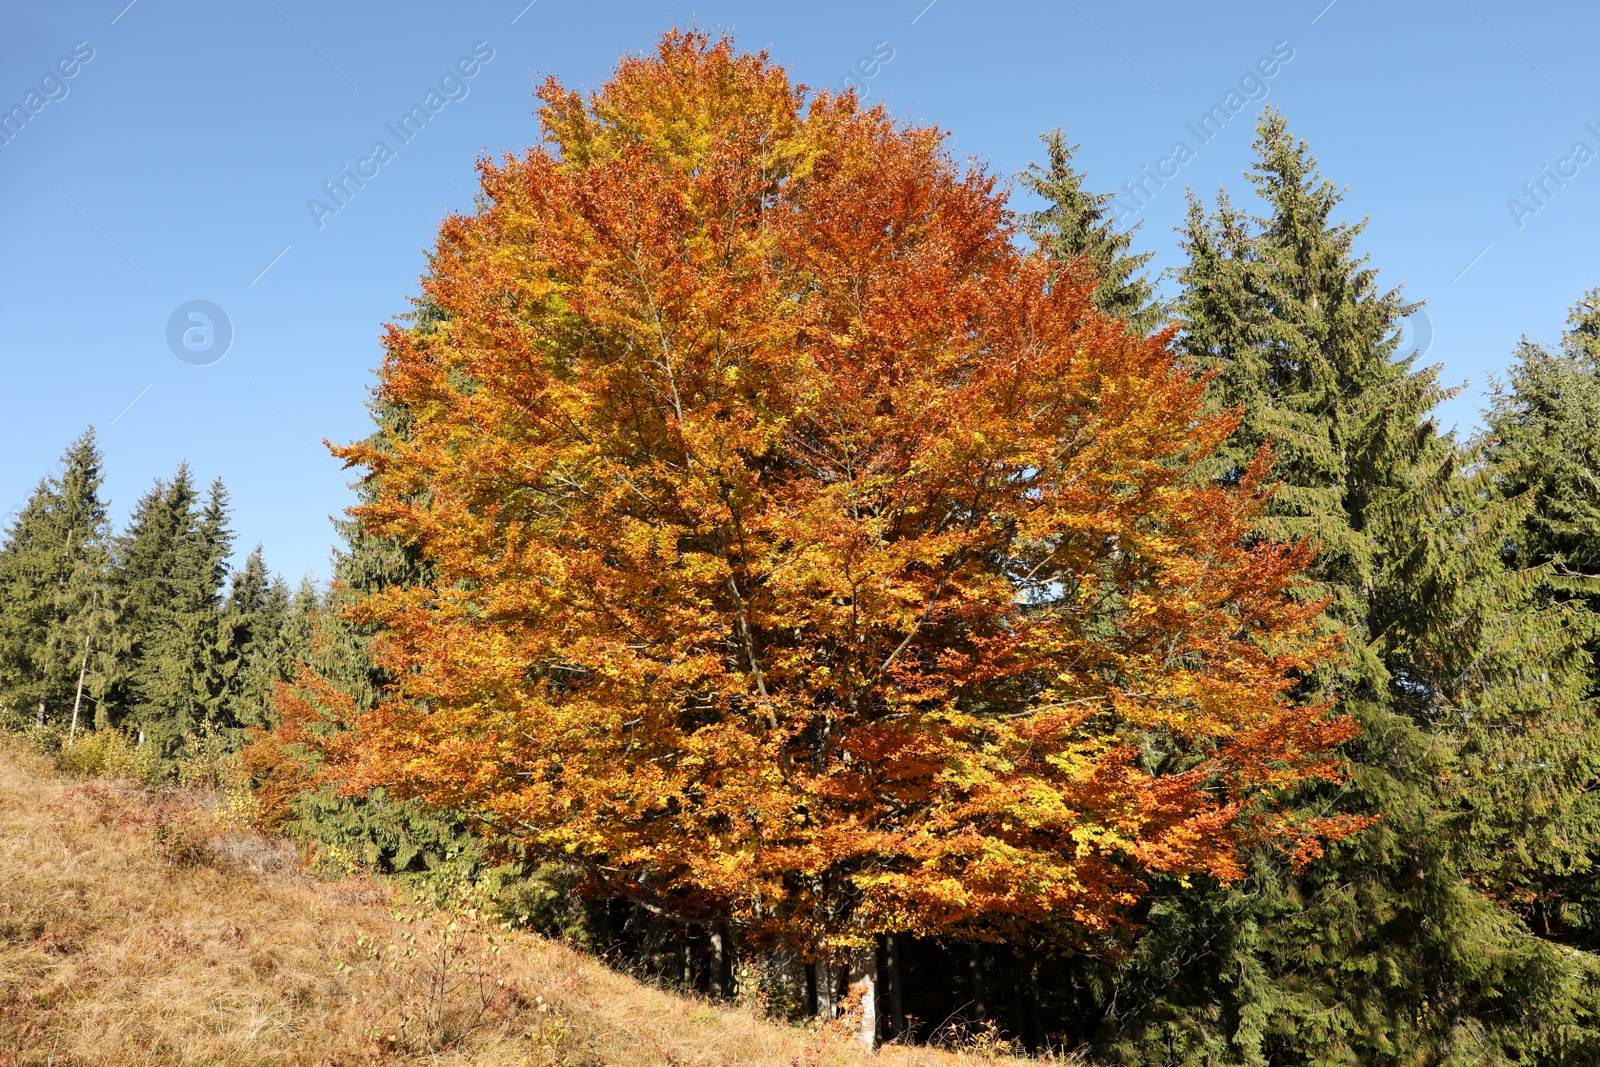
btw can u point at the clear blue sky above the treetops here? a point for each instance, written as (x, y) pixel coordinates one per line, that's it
(175, 164)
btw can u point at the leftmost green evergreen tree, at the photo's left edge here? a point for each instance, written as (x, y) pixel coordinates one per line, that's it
(52, 569)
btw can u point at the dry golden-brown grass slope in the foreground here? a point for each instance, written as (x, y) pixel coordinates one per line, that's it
(142, 929)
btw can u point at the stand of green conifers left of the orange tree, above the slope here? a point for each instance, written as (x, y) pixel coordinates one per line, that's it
(135, 631)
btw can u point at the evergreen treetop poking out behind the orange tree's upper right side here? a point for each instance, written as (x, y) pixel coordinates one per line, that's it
(1074, 226)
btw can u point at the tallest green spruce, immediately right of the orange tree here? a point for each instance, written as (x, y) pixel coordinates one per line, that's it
(1399, 946)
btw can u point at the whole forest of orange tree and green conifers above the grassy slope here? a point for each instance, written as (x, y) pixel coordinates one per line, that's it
(793, 559)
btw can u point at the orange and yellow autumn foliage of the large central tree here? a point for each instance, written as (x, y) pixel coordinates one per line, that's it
(804, 554)
